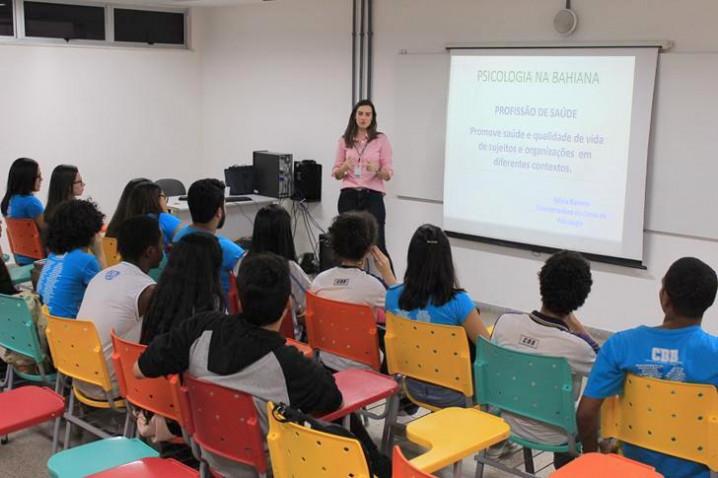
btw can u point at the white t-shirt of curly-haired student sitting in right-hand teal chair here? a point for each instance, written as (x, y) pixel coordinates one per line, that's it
(538, 334)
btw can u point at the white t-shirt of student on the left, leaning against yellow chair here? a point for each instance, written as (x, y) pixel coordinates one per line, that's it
(111, 301)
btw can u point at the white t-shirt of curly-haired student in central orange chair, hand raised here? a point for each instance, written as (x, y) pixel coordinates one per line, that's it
(348, 284)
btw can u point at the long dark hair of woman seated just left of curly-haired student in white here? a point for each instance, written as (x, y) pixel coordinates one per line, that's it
(273, 232)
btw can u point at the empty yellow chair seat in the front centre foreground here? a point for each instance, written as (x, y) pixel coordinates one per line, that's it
(438, 432)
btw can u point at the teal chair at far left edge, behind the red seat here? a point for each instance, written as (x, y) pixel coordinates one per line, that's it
(18, 333)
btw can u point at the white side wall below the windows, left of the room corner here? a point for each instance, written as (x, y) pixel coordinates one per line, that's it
(116, 113)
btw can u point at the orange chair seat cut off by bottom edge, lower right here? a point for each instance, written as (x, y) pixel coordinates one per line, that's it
(598, 464)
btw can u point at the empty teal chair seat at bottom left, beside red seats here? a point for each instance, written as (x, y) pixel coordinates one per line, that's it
(98, 456)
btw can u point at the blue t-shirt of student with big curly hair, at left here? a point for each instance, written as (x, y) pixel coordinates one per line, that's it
(64, 279)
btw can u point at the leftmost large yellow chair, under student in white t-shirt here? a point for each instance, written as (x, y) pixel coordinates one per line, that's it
(77, 355)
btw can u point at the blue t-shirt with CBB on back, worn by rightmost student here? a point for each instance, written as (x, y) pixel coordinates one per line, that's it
(688, 354)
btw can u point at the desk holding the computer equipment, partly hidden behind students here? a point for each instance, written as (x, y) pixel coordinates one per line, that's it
(240, 215)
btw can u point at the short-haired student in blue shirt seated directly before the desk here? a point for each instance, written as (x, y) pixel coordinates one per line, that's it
(205, 199)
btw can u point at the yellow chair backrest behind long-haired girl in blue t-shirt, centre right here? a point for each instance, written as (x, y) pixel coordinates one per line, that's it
(438, 354)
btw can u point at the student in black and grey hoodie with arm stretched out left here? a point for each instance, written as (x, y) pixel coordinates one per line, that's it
(245, 352)
